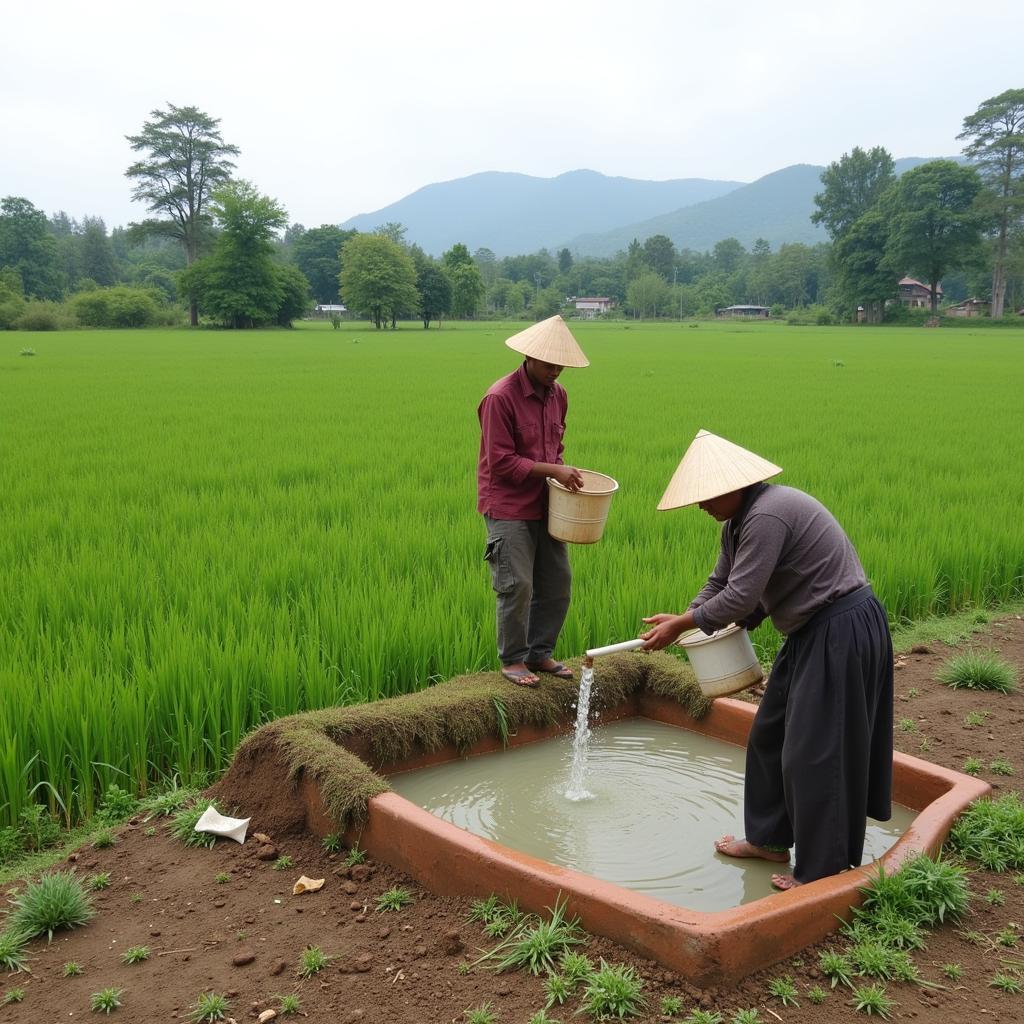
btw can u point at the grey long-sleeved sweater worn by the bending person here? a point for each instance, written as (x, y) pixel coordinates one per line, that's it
(783, 556)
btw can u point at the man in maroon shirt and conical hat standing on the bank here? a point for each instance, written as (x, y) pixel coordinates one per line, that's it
(523, 421)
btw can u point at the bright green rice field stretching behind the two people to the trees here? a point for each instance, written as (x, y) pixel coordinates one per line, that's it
(202, 532)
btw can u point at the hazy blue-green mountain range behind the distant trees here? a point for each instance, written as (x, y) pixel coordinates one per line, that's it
(596, 216)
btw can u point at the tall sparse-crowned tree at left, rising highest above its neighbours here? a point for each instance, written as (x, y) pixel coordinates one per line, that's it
(187, 160)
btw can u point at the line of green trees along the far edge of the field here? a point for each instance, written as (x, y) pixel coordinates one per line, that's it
(217, 245)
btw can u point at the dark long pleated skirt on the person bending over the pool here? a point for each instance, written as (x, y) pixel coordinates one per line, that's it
(821, 753)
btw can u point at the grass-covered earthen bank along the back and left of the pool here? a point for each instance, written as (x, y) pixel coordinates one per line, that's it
(343, 749)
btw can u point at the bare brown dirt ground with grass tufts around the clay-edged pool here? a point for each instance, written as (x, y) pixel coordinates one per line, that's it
(243, 937)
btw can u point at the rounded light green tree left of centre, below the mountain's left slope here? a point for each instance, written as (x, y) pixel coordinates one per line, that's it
(378, 279)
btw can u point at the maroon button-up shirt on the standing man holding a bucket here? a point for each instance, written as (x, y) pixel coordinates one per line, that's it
(519, 429)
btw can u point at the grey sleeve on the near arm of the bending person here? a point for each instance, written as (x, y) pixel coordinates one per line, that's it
(758, 551)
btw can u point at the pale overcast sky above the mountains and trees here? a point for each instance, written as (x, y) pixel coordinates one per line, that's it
(340, 109)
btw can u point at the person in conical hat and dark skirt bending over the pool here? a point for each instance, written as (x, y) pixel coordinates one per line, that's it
(820, 754)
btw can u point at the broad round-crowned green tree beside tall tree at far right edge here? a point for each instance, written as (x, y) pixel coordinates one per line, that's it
(935, 227)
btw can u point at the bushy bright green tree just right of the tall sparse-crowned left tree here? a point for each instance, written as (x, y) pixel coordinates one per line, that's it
(239, 284)
